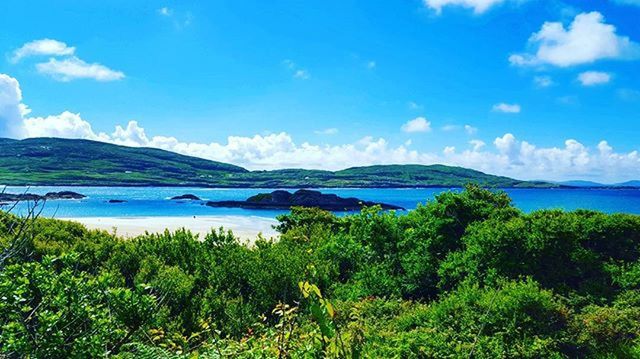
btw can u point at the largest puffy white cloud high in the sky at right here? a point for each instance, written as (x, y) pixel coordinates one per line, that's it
(588, 39)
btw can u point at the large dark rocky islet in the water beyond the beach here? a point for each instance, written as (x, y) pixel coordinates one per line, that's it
(304, 198)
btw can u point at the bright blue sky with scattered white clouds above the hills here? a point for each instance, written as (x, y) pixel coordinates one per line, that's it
(338, 83)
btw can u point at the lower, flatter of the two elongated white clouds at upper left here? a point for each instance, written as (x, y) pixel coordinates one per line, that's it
(73, 68)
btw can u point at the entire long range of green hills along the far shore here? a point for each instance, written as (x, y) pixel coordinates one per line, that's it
(54, 161)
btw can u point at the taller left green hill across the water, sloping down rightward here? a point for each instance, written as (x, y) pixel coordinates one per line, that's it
(55, 161)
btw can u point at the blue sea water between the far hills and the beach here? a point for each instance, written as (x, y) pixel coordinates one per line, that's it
(153, 201)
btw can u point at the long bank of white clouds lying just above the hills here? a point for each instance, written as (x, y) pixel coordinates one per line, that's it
(508, 156)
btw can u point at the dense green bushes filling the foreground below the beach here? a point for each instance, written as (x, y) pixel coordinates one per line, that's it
(466, 275)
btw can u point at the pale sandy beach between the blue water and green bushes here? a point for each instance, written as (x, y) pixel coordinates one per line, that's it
(246, 228)
